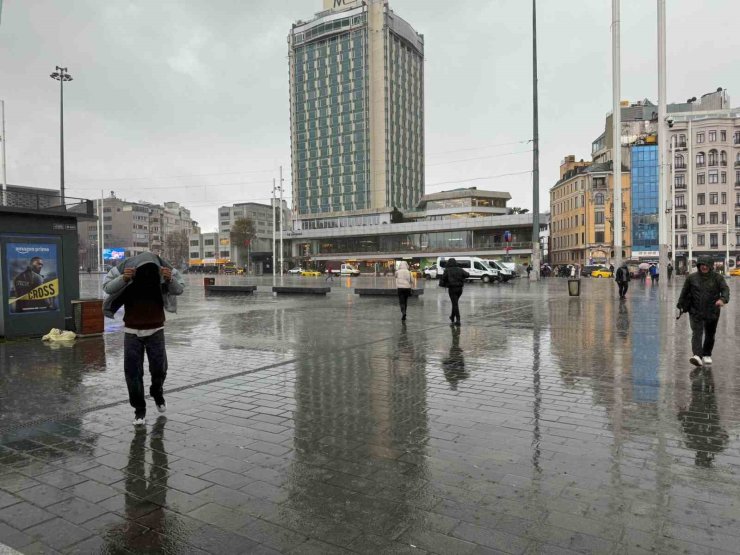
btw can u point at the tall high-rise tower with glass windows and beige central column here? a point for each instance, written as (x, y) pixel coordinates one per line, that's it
(357, 114)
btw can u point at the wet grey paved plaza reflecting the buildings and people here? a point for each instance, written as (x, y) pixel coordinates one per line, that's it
(544, 424)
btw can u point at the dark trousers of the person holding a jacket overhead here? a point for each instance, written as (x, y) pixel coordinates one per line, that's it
(134, 348)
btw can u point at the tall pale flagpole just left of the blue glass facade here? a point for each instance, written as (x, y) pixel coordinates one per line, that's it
(616, 136)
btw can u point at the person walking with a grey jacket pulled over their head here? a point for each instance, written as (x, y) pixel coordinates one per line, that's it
(145, 286)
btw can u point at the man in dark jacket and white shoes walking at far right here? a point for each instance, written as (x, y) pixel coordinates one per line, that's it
(704, 293)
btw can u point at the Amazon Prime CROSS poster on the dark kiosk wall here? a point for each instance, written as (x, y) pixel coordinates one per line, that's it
(32, 275)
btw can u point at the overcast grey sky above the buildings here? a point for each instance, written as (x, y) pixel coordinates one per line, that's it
(188, 100)
